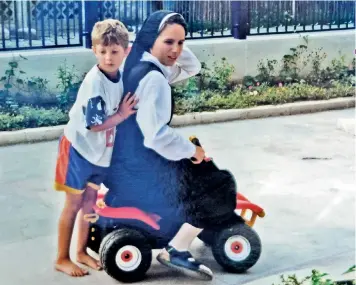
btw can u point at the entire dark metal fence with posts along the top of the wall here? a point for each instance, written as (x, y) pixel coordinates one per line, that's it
(47, 24)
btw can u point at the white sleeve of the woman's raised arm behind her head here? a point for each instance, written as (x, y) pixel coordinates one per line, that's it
(187, 65)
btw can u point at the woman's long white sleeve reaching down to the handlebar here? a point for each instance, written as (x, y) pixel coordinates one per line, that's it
(153, 114)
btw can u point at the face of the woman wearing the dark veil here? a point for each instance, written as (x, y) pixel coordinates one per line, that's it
(169, 44)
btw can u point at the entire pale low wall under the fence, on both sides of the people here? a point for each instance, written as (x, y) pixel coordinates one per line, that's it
(243, 54)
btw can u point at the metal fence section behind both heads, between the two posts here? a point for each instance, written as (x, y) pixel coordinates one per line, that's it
(205, 19)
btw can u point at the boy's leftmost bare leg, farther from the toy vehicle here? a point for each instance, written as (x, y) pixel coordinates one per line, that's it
(65, 229)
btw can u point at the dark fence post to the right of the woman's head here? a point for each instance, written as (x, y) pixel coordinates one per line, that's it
(239, 19)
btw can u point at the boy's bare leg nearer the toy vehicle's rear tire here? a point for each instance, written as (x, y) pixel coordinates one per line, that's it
(89, 200)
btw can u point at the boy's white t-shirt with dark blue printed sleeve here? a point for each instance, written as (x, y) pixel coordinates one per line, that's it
(98, 97)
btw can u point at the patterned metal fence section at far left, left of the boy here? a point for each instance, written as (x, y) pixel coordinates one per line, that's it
(40, 24)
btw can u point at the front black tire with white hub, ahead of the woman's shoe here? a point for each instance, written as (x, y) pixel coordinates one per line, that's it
(243, 248)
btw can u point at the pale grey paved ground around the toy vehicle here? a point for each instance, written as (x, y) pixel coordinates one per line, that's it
(310, 203)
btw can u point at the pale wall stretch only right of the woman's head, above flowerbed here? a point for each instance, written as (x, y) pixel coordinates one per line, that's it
(245, 55)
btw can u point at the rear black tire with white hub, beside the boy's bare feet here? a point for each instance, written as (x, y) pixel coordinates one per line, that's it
(136, 247)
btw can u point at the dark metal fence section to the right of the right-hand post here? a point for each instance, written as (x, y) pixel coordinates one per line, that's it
(270, 17)
